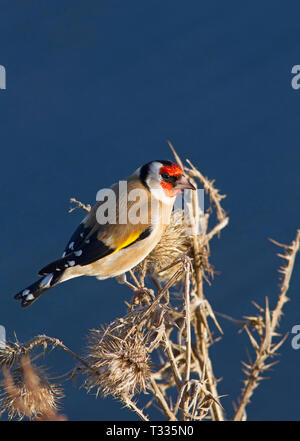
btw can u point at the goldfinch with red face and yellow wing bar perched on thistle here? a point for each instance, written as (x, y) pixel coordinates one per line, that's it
(118, 232)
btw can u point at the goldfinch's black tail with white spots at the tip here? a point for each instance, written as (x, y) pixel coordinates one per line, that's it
(34, 291)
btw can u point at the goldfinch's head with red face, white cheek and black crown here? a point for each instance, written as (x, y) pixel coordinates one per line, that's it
(164, 179)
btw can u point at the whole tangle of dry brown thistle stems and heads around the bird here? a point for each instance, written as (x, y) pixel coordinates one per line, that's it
(162, 344)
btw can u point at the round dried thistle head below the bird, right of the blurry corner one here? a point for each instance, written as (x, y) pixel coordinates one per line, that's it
(119, 356)
